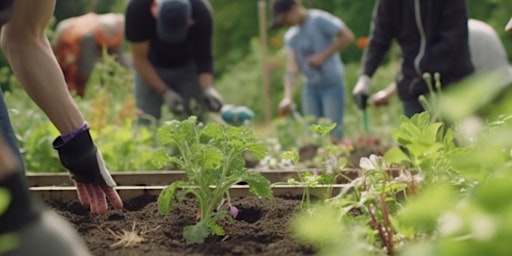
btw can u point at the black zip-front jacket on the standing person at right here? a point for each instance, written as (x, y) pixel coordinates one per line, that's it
(433, 37)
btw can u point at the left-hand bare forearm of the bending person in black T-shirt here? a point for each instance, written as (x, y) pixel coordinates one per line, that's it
(145, 69)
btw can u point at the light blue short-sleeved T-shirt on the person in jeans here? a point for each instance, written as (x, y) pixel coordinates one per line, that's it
(317, 33)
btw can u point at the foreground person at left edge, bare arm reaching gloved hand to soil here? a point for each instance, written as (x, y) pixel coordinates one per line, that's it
(36, 229)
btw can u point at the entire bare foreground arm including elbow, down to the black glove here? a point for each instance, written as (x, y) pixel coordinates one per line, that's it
(32, 61)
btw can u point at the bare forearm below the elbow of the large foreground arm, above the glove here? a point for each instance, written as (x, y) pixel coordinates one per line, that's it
(35, 66)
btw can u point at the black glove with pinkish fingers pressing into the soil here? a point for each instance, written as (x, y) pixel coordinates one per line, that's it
(85, 163)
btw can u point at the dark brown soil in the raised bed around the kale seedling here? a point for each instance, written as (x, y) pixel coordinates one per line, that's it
(261, 228)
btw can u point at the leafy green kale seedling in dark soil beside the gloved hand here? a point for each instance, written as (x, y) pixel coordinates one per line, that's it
(211, 156)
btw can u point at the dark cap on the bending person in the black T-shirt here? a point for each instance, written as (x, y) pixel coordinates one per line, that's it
(173, 20)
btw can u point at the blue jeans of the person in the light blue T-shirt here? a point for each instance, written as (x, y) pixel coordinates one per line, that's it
(326, 100)
